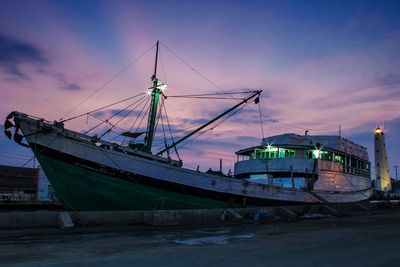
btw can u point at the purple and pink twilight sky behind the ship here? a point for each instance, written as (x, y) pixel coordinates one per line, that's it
(321, 65)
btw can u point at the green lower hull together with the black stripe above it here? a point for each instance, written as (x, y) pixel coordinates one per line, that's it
(86, 185)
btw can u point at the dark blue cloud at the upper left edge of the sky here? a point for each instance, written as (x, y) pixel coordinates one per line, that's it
(15, 53)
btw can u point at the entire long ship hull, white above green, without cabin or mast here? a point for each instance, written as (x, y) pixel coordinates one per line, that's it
(94, 175)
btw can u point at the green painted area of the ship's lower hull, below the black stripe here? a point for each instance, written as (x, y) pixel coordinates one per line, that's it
(80, 188)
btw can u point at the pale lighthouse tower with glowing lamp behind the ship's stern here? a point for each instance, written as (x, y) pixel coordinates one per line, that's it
(382, 179)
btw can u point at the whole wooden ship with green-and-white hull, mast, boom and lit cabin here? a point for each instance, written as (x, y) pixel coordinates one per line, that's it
(90, 173)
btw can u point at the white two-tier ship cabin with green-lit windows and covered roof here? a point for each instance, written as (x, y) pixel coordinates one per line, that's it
(291, 160)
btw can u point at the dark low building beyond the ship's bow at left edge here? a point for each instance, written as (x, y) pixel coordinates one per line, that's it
(18, 183)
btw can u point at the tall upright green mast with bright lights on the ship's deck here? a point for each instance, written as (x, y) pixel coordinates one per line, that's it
(155, 92)
